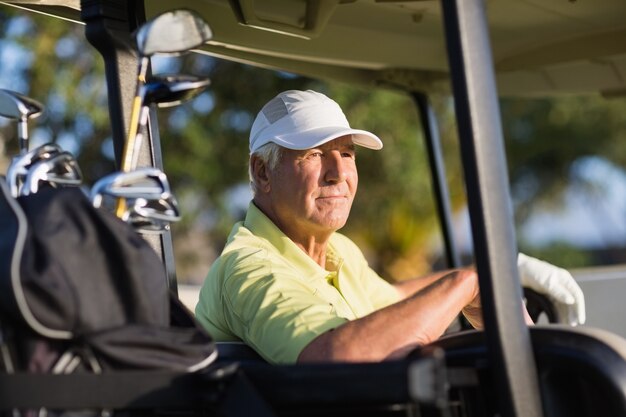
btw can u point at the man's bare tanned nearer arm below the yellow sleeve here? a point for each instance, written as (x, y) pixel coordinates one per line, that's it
(395, 330)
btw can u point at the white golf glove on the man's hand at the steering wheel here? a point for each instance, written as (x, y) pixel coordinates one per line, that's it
(555, 283)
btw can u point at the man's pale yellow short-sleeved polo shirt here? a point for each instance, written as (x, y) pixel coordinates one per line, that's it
(265, 291)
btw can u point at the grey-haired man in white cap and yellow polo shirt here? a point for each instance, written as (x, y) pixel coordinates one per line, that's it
(291, 287)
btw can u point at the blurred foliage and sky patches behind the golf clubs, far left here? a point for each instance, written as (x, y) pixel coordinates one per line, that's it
(50, 62)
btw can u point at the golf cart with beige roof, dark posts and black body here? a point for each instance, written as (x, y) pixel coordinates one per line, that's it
(505, 370)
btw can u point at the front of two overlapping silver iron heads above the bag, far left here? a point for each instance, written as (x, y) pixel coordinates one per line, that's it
(59, 170)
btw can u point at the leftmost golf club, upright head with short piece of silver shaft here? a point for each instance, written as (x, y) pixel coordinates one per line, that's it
(21, 108)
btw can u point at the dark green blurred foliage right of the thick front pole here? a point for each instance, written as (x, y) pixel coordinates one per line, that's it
(546, 137)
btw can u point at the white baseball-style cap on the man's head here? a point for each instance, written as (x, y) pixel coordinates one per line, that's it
(303, 120)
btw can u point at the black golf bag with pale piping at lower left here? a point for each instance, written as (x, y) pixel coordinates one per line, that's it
(81, 291)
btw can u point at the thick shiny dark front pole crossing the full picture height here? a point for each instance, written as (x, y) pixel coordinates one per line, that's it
(478, 117)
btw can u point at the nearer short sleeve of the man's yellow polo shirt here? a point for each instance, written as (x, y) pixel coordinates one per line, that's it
(274, 311)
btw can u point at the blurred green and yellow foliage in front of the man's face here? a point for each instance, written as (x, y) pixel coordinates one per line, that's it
(394, 216)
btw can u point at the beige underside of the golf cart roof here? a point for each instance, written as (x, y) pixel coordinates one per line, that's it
(539, 47)
